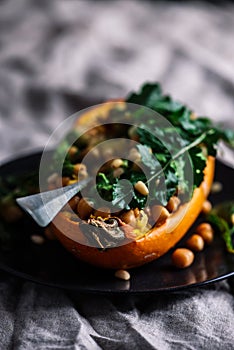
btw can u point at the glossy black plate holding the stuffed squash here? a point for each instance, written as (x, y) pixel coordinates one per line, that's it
(50, 264)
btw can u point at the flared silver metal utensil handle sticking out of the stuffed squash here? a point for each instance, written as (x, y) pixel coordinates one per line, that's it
(44, 206)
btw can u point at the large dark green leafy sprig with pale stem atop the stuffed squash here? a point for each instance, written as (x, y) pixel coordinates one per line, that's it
(169, 144)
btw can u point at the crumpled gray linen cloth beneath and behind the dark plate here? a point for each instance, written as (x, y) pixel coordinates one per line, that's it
(59, 56)
